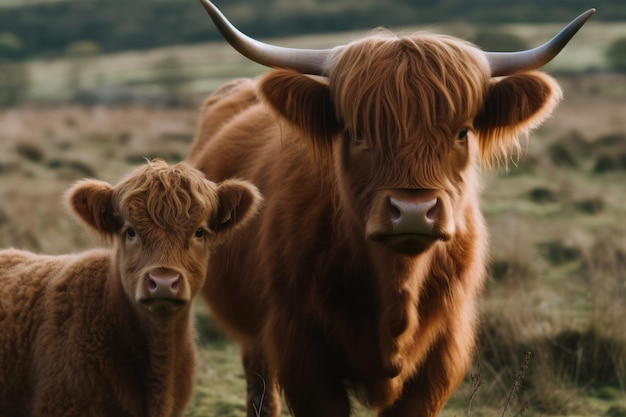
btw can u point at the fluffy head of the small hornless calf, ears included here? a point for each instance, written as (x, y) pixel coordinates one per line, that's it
(163, 222)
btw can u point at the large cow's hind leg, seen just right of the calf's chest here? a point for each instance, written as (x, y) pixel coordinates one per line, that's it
(263, 396)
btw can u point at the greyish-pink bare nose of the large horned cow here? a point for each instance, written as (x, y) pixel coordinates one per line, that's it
(413, 217)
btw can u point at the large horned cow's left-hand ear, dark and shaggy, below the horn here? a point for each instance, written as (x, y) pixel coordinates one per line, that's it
(304, 101)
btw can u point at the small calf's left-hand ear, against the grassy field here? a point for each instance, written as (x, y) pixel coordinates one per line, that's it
(91, 202)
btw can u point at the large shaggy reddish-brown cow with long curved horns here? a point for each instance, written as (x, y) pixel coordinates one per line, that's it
(362, 272)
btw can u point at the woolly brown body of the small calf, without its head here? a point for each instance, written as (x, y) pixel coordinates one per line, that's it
(73, 345)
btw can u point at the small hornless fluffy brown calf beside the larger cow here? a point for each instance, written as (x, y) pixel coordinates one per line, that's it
(108, 332)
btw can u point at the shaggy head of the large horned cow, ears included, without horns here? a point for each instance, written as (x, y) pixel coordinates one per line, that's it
(406, 121)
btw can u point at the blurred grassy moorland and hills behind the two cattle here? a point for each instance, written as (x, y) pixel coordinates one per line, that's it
(89, 88)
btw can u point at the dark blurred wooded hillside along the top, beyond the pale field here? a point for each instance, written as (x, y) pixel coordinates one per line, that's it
(52, 29)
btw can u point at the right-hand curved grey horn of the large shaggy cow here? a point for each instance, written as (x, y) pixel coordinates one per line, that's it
(507, 63)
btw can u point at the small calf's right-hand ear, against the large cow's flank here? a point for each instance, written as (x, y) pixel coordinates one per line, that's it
(239, 203)
